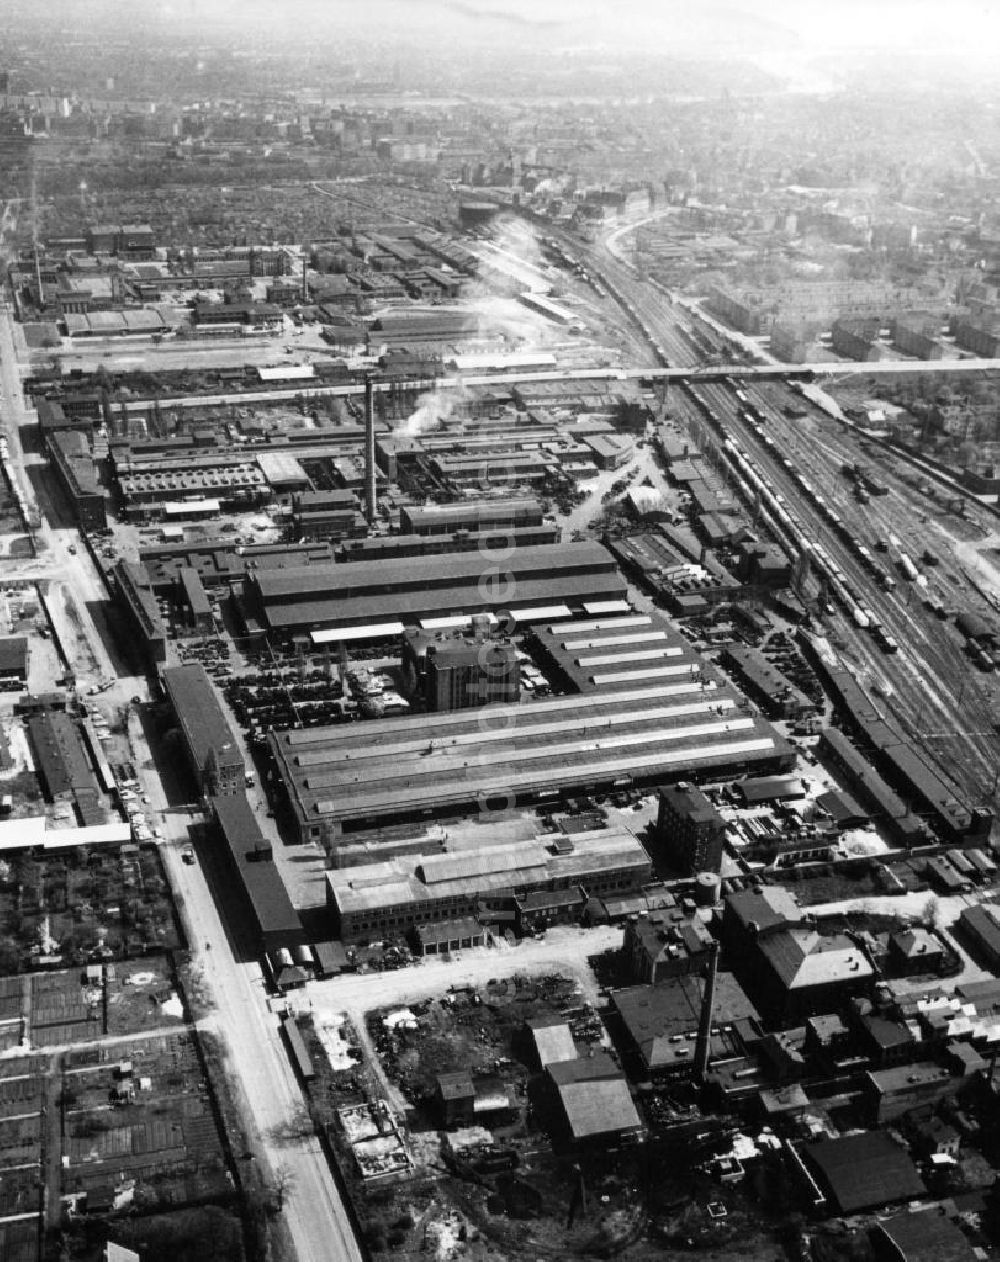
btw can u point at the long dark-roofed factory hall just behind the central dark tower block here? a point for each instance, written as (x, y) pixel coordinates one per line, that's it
(299, 600)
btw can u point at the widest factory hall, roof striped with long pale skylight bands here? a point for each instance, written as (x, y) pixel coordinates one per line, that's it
(354, 777)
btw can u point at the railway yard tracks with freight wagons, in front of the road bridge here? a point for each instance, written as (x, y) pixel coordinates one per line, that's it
(937, 692)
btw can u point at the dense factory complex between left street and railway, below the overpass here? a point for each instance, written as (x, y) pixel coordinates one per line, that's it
(430, 682)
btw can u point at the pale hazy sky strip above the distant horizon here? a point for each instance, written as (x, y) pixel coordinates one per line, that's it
(751, 30)
